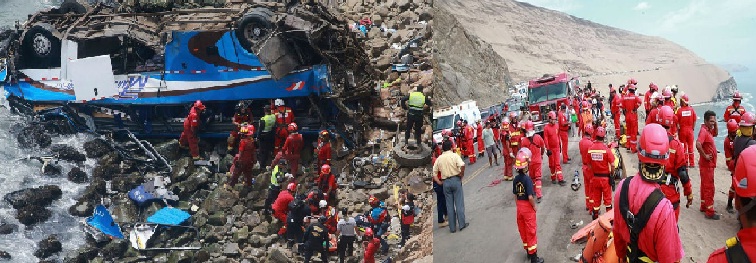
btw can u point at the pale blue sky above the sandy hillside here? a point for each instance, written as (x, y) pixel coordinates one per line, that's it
(720, 31)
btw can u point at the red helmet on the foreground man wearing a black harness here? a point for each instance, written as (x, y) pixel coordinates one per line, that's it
(653, 147)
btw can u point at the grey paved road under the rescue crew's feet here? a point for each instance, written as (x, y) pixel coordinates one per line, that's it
(491, 212)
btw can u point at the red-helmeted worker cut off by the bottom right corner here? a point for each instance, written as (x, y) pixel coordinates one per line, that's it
(742, 247)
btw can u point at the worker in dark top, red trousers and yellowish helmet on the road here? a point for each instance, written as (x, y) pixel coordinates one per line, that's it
(522, 188)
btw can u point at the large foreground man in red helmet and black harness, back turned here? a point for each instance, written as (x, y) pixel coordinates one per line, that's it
(652, 234)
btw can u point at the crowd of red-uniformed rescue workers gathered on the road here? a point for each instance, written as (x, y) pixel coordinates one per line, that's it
(646, 208)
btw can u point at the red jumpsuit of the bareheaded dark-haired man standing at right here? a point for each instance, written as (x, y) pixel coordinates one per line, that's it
(707, 170)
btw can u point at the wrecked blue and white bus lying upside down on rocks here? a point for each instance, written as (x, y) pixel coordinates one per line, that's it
(107, 67)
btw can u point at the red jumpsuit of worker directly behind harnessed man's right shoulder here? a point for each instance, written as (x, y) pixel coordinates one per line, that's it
(676, 161)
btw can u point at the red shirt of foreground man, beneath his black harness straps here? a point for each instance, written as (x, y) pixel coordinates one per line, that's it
(659, 239)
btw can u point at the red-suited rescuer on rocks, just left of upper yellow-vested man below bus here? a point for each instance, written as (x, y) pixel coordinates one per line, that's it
(245, 158)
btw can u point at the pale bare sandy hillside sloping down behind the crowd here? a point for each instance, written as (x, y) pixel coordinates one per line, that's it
(534, 40)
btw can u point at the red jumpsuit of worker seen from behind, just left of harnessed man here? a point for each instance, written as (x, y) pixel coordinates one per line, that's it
(601, 161)
